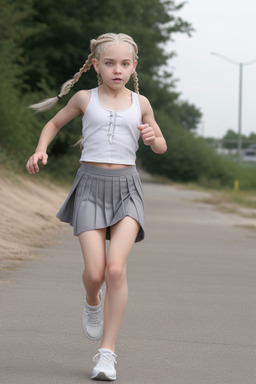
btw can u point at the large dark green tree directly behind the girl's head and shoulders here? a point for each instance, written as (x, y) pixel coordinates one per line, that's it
(49, 41)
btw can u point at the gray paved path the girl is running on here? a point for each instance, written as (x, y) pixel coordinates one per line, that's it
(191, 316)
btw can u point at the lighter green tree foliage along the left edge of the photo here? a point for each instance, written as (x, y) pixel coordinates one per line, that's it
(16, 121)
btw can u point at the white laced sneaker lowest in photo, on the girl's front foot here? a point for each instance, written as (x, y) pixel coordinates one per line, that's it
(105, 368)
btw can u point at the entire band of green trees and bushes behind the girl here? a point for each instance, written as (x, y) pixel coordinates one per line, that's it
(43, 43)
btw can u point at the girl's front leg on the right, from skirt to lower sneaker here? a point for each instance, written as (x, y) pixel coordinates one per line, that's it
(123, 235)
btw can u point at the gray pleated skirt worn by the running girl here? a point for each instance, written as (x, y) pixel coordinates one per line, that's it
(100, 198)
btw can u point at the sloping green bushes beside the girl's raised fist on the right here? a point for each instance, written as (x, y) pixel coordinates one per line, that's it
(187, 158)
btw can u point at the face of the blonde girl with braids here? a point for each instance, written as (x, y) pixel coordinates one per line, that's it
(116, 65)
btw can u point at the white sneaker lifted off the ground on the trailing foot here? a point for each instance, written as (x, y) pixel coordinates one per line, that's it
(93, 320)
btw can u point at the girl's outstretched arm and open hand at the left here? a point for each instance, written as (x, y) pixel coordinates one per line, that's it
(76, 106)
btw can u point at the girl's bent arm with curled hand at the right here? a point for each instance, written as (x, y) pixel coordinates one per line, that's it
(150, 132)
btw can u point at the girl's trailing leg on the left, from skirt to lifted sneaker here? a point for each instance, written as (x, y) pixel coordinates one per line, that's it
(94, 253)
